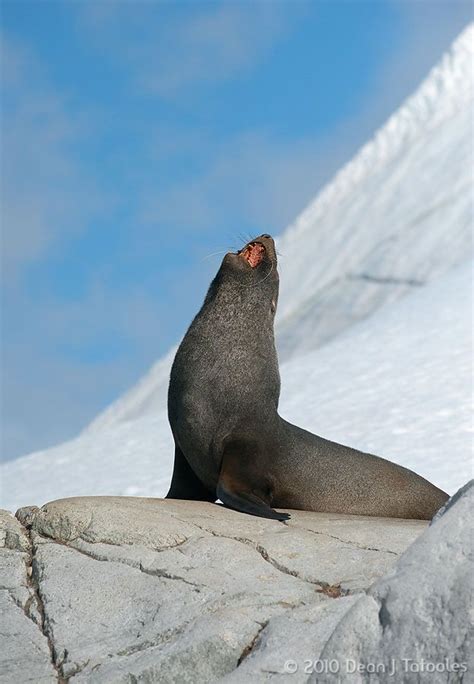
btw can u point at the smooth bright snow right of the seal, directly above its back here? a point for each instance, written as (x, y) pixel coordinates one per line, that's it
(397, 384)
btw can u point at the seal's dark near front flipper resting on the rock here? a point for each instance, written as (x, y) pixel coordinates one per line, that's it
(240, 486)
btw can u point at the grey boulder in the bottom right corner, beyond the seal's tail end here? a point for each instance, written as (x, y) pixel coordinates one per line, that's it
(414, 624)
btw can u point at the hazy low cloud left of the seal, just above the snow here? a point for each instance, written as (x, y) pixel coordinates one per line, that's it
(51, 383)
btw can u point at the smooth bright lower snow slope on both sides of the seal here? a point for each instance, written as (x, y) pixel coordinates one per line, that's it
(397, 384)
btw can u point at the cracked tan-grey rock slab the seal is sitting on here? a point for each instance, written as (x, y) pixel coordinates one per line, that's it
(174, 591)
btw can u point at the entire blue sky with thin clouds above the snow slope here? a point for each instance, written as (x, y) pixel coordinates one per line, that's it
(138, 138)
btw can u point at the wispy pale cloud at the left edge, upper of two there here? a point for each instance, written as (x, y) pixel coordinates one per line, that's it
(46, 194)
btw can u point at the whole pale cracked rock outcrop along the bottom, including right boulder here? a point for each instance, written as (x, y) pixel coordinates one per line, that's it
(113, 589)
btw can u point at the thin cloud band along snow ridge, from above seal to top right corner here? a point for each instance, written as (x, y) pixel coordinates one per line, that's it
(268, 179)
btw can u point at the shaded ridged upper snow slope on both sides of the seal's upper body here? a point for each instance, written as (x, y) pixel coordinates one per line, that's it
(396, 216)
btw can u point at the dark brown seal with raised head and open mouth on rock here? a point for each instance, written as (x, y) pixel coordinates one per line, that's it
(230, 442)
